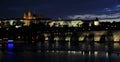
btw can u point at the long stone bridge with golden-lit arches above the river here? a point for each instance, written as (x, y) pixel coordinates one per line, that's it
(87, 36)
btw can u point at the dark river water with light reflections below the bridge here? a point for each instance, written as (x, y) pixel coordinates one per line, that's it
(57, 52)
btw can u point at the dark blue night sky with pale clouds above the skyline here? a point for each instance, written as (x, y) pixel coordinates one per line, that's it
(67, 9)
